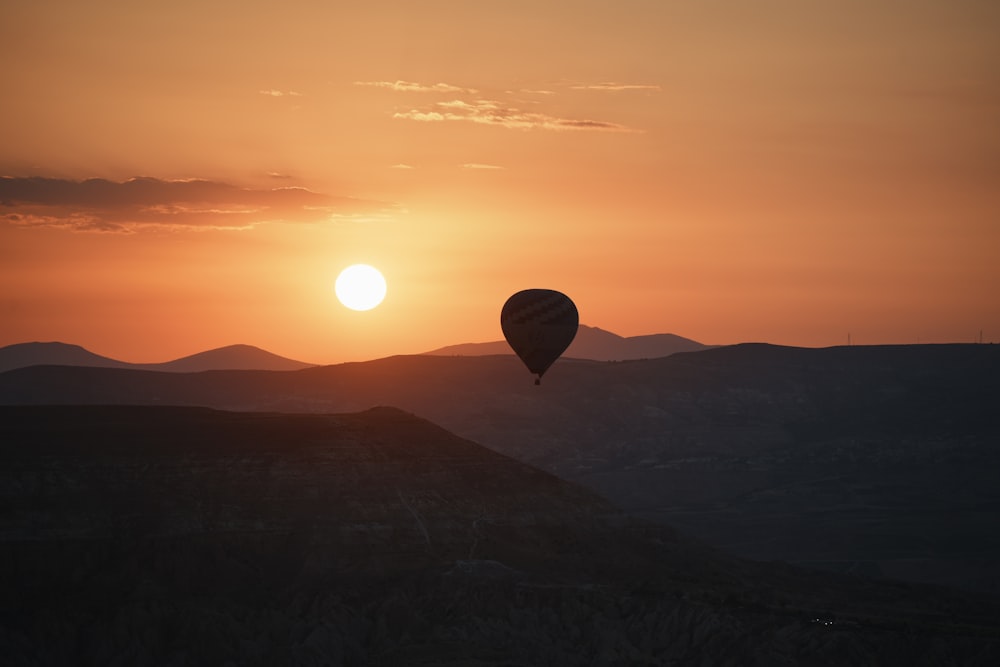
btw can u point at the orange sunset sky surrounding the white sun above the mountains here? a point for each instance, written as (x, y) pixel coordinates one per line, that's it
(185, 175)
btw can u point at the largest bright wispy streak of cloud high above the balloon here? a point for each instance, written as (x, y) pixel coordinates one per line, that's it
(491, 112)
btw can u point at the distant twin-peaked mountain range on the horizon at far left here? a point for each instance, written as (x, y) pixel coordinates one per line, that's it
(232, 357)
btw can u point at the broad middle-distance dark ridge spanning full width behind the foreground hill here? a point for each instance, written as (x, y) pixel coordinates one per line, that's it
(873, 460)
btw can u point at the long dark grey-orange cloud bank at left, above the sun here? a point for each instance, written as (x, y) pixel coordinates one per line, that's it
(139, 203)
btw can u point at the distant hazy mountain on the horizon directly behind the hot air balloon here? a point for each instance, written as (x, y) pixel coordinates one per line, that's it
(592, 343)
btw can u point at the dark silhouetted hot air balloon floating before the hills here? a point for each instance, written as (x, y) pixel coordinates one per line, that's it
(539, 324)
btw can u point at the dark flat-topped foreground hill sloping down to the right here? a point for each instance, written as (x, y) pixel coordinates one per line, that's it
(186, 536)
